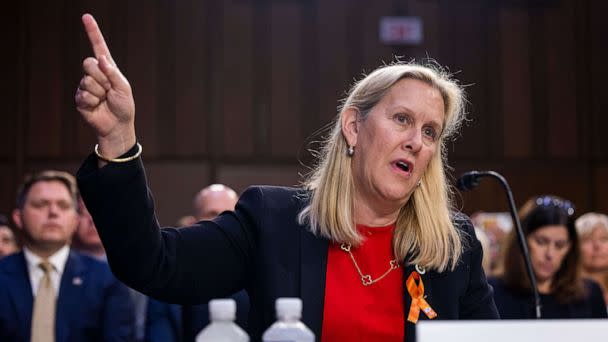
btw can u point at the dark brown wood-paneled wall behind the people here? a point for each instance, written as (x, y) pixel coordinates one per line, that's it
(232, 91)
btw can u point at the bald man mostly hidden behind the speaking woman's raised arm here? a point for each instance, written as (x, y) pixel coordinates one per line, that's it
(170, 322)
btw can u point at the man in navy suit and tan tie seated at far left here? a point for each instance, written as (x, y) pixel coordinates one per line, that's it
(47, 291)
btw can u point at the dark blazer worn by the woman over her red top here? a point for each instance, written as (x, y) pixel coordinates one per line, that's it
(259, 247)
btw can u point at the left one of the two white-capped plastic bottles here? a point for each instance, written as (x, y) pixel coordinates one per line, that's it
(222, 328)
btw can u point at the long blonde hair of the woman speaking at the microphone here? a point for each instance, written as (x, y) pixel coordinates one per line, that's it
(424, 227)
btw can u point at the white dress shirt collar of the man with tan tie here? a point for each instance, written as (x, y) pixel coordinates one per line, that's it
(58, 260)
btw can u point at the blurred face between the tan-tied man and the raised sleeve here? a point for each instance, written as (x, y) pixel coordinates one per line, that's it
(86, 240)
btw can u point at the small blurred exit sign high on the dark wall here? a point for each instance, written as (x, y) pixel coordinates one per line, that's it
(401, 30)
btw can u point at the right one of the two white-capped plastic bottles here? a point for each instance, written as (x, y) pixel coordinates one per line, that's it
(288, 327)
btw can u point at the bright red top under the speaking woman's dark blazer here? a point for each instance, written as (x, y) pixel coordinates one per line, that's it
(353, 312)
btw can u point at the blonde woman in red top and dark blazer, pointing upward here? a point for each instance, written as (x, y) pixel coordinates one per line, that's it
(369, 243)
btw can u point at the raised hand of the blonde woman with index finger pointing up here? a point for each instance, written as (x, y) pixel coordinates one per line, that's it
(104, 97)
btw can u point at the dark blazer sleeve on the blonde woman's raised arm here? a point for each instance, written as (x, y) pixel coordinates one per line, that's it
(167, 264)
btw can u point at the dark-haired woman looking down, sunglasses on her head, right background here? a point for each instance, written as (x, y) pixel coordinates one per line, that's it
(548, 226)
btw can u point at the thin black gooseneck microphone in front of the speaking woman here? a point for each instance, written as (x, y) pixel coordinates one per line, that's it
(468, 181)
